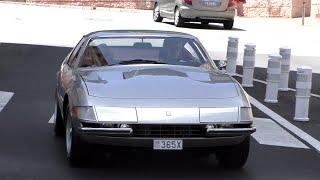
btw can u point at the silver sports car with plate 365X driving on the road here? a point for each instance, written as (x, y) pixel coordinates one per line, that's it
(153, 90)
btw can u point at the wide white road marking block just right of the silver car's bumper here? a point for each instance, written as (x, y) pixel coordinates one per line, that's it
(270, 133)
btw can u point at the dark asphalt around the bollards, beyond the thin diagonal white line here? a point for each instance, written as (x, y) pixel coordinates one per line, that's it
(286, 107)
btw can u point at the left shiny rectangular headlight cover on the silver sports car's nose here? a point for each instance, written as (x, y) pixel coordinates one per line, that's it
(116, 114)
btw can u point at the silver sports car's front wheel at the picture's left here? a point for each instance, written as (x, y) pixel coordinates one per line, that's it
(75, 147)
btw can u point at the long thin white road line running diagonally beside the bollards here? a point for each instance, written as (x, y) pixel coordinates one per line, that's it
(286, 124)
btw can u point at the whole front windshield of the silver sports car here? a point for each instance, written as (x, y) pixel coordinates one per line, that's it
(144, 50)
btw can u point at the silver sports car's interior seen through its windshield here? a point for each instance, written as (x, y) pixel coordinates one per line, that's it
(173, 51)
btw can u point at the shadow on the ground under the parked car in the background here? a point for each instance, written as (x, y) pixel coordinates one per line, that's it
(211, 26)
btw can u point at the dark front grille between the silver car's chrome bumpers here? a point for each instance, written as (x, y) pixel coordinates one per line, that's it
(168, 131)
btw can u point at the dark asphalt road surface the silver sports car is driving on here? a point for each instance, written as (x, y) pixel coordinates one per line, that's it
(29, 149)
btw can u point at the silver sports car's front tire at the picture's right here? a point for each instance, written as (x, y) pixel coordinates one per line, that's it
(234, 157)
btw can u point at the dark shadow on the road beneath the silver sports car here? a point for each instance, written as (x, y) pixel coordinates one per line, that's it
(147, 164)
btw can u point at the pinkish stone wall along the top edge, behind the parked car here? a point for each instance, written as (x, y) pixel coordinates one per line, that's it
(253, 8)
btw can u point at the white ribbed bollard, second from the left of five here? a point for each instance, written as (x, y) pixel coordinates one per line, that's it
(248, 65)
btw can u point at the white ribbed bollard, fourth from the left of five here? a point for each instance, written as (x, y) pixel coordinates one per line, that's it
(285, 68)
